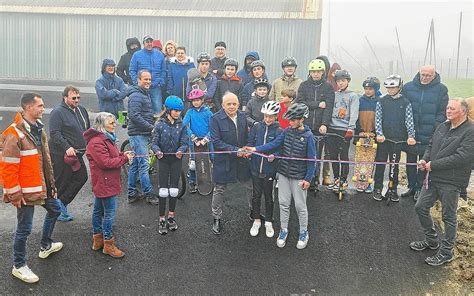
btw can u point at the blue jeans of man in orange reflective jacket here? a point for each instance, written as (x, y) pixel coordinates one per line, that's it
(23, 230)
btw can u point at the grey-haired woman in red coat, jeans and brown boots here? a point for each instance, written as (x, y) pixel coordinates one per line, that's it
(105, 161)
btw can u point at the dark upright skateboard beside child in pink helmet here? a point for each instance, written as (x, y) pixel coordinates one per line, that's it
(203, 170)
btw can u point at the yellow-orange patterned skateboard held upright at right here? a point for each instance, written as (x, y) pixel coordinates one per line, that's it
(365, 151)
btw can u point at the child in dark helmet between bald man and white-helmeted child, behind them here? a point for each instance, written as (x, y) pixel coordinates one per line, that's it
(254, 105)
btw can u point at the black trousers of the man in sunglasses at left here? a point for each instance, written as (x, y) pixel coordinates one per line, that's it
(68, 183)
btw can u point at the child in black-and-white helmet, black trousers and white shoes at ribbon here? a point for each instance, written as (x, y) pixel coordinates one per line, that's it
(263, 169)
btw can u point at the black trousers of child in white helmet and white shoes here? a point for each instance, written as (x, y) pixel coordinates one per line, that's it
(262, 185)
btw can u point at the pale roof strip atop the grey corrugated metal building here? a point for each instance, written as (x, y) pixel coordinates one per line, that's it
(294, 9)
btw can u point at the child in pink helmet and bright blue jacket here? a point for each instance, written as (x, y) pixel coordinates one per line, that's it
(197, 122)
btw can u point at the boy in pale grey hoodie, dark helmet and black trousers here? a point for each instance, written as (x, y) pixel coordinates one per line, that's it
(343, 122)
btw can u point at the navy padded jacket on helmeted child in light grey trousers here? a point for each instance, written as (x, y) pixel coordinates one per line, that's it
(294, 143)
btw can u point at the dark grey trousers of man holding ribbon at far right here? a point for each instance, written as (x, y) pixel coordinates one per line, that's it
(448, 195)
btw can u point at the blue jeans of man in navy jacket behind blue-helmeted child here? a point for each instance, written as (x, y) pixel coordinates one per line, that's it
(140, 166)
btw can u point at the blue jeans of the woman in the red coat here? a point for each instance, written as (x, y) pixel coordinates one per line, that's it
(103, 216)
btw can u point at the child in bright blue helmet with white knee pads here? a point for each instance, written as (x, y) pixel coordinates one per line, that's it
(169, 142)
